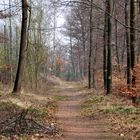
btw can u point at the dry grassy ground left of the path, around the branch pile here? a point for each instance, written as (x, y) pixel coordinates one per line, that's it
(40, 108)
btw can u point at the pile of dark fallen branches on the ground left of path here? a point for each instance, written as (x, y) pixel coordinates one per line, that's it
(23, 123)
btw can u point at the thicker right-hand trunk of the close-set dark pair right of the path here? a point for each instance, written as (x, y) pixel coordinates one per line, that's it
(109, 49)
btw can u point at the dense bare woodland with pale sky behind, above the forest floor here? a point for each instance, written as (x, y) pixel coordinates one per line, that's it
(98, 43)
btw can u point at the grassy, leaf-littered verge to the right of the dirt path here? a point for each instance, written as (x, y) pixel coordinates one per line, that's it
(122, 118)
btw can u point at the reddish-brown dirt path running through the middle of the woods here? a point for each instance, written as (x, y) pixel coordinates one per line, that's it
(74, 126)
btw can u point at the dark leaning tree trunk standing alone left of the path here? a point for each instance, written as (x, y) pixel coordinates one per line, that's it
(23, 44)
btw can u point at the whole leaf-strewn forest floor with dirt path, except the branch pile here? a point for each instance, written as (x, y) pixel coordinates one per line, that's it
(77, 113)
